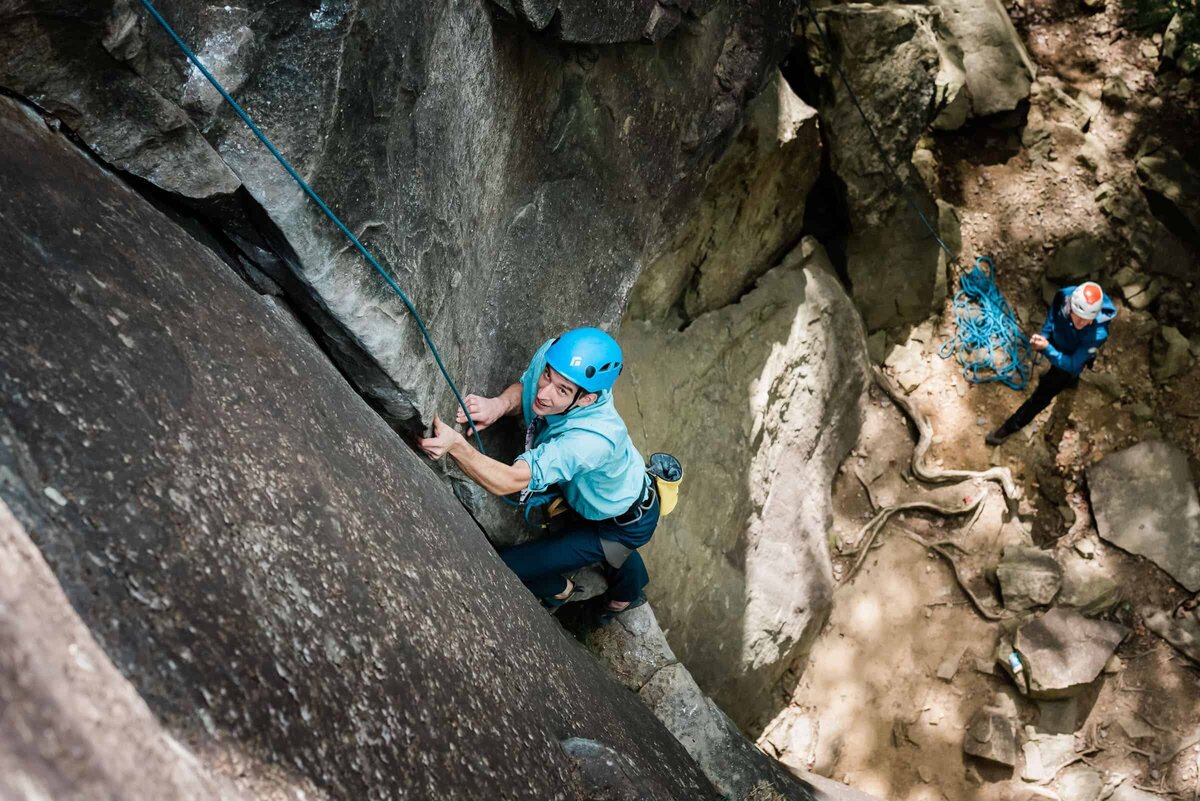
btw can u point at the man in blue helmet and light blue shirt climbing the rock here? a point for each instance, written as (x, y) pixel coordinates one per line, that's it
(578, 444)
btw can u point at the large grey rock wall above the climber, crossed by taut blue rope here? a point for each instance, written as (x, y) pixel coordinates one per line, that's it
(476, 156)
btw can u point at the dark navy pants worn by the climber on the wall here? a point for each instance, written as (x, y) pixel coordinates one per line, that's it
(541, 565)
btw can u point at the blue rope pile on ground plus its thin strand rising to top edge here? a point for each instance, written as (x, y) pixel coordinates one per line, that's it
(989, 342)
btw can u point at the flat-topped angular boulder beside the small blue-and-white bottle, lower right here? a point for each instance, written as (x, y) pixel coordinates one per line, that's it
(1064, 652)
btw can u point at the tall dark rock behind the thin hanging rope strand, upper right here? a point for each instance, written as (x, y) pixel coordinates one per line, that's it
(901, 59)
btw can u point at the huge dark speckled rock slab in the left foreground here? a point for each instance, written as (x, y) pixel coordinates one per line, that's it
(248, 540)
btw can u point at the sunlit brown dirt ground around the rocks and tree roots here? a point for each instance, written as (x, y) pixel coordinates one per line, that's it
(869, 708)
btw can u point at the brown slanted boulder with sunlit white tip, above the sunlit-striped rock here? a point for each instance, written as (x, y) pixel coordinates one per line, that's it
(751, 214)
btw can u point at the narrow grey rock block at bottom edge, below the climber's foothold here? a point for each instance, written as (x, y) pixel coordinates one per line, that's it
(740, 772)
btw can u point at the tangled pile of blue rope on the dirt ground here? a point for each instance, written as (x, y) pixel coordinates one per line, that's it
(989, 344)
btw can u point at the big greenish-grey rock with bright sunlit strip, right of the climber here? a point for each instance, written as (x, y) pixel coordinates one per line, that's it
(766, 394)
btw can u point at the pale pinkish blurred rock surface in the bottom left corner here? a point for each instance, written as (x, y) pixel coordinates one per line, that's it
(62, 695)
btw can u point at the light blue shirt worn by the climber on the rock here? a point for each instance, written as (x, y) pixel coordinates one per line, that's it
(587, 453)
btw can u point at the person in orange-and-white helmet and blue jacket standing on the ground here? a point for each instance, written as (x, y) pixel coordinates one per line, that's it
(1076, 329)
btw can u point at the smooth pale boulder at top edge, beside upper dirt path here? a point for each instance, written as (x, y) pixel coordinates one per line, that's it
(999, 71)
